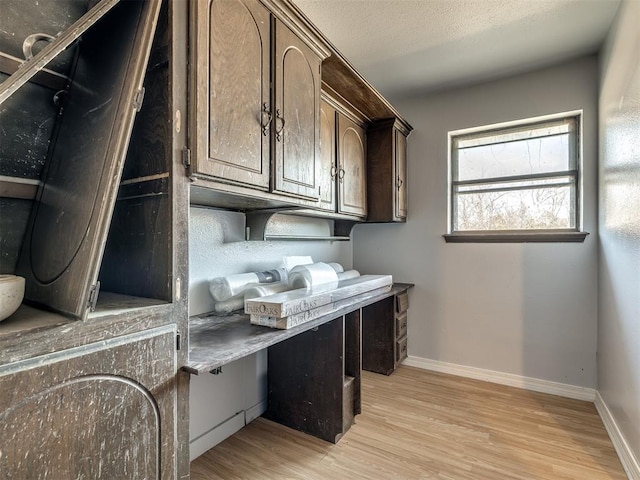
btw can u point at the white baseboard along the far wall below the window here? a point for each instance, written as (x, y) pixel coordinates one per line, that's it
(527, 383)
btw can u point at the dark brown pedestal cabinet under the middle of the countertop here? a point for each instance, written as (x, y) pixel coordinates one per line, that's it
(314, 379)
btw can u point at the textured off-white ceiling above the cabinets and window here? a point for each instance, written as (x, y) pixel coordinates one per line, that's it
(407, 46)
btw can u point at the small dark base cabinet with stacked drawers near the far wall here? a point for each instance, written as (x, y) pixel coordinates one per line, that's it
(384, 332)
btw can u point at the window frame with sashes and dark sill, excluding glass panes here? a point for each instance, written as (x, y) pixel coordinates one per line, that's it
(576, 234)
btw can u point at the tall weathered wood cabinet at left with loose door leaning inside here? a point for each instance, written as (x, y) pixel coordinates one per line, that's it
(90, 216)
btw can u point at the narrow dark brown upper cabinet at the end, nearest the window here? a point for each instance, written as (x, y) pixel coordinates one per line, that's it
(387, 171)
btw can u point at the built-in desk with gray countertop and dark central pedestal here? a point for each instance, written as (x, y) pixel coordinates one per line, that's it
(313, 369)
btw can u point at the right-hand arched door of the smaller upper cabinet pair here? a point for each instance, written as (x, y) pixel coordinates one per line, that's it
(352, 170)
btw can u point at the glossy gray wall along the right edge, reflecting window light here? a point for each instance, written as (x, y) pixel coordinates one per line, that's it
(619, 285)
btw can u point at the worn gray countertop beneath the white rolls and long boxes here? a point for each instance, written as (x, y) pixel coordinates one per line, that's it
(216, 340)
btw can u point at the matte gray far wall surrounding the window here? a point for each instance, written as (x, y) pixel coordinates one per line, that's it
(523, 309)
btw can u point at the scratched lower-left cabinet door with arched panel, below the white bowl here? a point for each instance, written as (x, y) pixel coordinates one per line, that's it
(104, 410)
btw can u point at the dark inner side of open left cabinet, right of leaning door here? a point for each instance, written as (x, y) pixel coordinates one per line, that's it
(137, 257)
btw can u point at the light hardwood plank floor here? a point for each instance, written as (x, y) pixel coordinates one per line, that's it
(424, 425)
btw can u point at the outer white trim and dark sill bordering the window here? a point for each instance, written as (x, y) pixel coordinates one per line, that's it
(576, 234)
